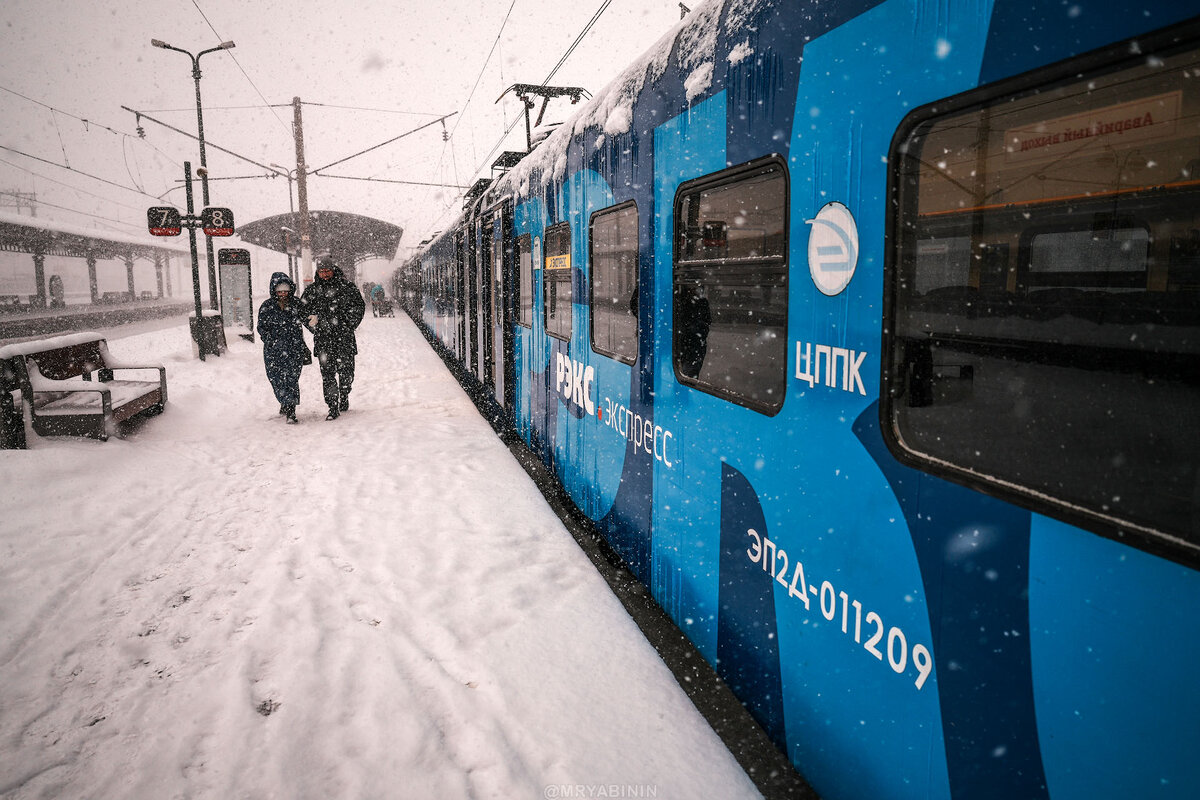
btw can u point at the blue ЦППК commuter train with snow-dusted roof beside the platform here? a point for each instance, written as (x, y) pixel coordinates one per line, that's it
(868, 334)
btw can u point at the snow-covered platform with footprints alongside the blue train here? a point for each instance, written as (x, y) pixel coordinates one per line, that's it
(223, 606)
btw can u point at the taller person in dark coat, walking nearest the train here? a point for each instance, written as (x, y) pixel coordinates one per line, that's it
(335, 309)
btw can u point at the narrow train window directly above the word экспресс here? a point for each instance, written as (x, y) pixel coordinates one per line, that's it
(614, 262)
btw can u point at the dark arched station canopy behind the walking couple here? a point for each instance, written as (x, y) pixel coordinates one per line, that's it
(349, 238)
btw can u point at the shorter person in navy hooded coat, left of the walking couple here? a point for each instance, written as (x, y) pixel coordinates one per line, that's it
(285, 353)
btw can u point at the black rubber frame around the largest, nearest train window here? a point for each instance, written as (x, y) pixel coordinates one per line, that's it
(903, 202)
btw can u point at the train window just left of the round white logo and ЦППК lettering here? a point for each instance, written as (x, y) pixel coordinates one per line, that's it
(730, 285)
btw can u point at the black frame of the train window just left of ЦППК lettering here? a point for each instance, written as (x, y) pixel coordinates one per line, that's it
(728, 177)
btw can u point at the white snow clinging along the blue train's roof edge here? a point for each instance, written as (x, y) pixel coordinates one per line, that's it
(613, 109)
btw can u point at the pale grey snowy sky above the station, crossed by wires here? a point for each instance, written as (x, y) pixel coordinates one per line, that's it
(413, 62)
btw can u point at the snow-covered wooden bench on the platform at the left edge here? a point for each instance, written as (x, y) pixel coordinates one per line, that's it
(56, 381)
